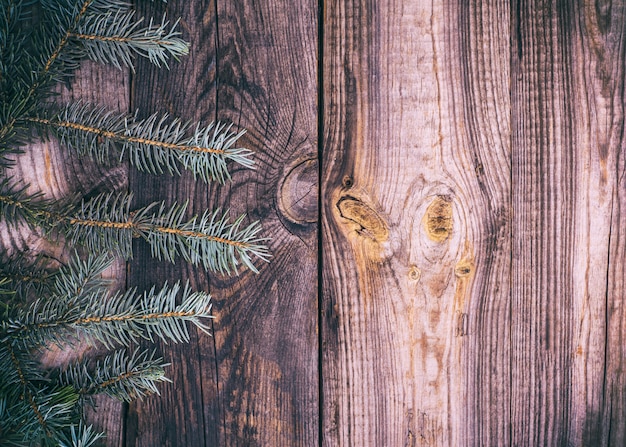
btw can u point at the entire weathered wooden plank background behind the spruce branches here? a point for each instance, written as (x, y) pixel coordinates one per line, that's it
(444, 185)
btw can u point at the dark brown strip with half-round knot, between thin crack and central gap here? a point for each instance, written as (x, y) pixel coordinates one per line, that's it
(266, 328)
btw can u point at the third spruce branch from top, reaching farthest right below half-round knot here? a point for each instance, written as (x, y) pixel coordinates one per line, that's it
(107, 224)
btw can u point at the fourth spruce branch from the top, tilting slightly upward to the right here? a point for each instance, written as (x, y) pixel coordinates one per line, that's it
(111, 320)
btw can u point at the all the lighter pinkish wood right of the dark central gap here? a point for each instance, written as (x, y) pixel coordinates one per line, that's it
(473, 182)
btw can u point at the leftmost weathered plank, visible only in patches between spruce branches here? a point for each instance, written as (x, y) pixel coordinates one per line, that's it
(60, 173)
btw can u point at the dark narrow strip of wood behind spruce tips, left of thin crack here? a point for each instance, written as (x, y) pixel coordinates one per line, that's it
(180, 416)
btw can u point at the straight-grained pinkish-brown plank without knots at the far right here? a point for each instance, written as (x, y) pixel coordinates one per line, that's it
(568, 193)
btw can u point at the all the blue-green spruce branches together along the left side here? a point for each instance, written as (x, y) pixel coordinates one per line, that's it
(41, 305)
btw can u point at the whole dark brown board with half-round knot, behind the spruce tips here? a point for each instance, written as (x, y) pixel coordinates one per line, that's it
(255, 382)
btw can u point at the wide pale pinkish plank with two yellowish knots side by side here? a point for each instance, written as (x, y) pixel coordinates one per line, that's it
(416, 223)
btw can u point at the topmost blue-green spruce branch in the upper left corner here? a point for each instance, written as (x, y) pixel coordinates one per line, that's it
(70, 31)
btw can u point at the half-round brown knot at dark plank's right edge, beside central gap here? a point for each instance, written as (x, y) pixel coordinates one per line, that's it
(297, 195)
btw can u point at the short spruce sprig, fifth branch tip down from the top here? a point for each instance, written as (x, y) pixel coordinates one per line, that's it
(119, 376)
